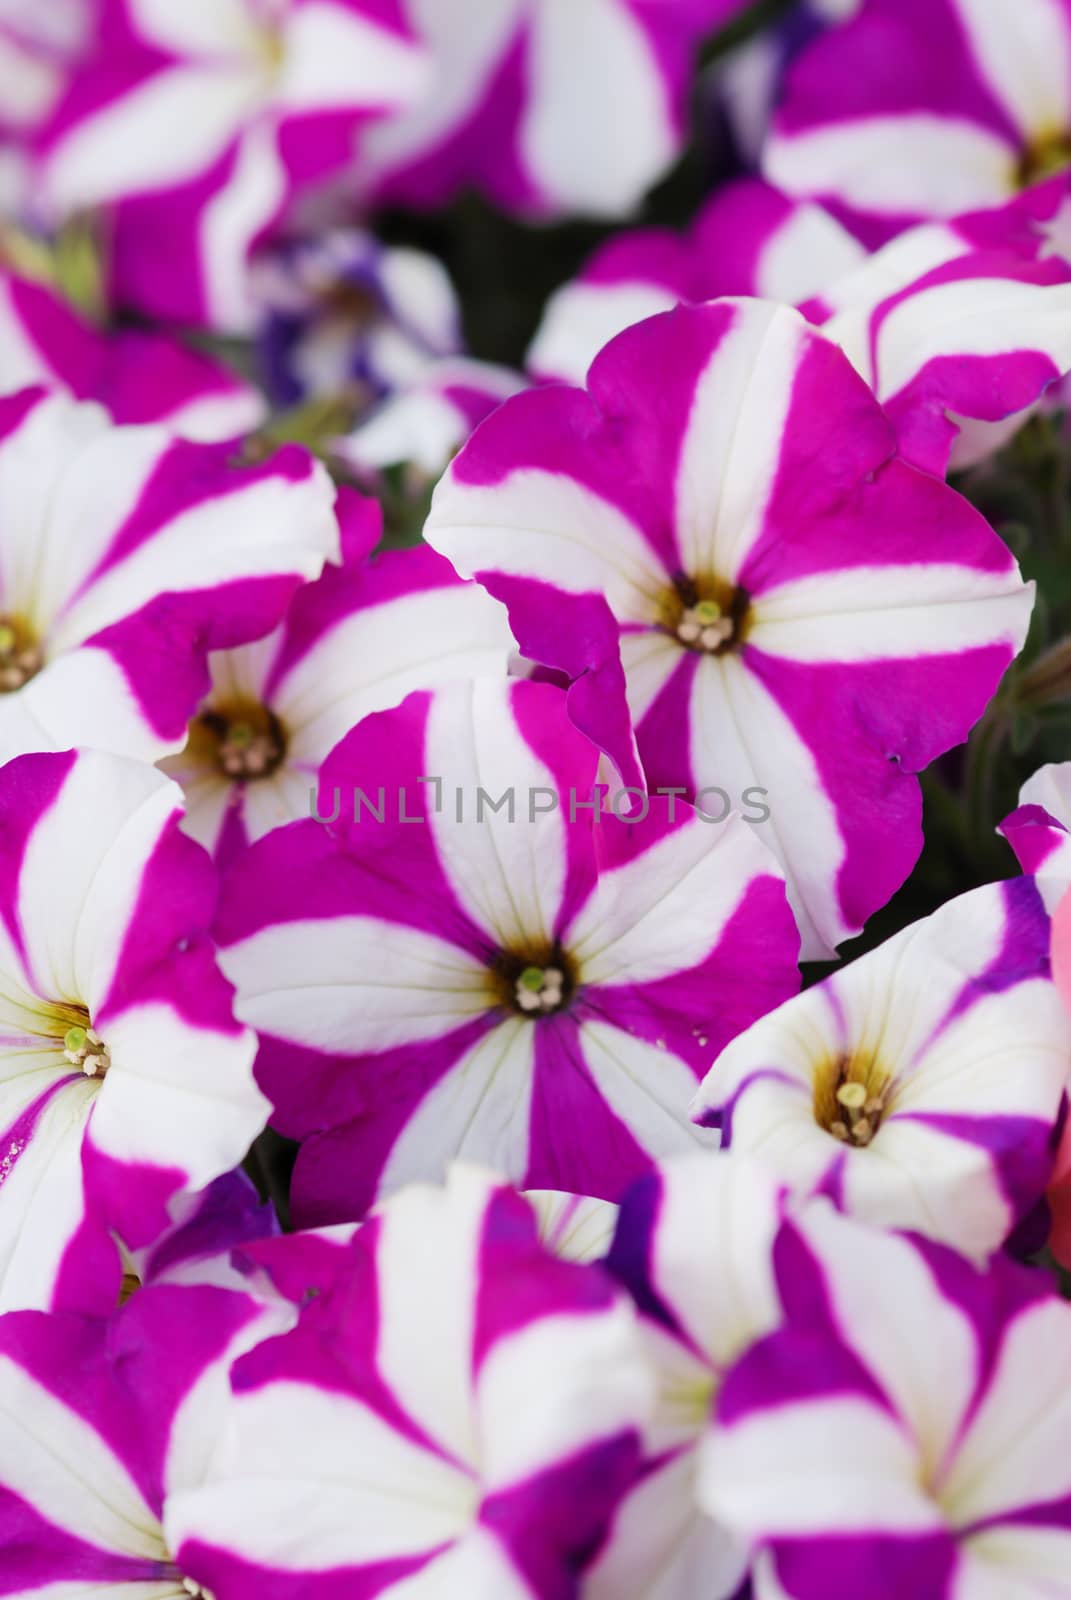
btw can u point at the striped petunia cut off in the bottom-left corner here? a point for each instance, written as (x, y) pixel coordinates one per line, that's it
(105, 1422)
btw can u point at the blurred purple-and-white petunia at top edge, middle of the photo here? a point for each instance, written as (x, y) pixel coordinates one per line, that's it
(545, 108)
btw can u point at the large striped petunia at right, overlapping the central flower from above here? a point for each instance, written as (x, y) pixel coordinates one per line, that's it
(721, 532)
